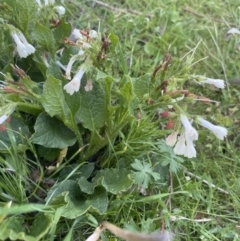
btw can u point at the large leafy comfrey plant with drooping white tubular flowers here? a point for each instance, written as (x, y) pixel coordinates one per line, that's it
(84, 131)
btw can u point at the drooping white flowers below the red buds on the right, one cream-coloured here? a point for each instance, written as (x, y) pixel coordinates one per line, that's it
(183, 143)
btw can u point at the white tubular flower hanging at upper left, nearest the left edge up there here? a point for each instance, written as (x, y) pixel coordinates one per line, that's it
(23, 47)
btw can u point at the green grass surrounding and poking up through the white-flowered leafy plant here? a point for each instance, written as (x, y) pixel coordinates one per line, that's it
(185, 28)
